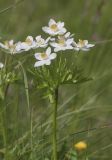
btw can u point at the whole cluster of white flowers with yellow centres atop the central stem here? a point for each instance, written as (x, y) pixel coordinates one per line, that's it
(59, 40)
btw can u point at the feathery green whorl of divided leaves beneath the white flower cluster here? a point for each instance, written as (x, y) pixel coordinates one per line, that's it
(48, 78)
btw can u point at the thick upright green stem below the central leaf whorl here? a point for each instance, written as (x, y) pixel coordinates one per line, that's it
(55, 156)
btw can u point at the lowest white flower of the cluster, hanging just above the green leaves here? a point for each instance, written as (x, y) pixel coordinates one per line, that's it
(44, 58)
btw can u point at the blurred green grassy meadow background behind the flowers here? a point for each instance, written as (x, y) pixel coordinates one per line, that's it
(84, 111)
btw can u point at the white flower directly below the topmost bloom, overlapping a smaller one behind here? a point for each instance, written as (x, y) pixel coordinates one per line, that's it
(63, 42)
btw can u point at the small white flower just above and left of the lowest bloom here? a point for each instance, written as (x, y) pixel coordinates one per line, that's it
(40, 42)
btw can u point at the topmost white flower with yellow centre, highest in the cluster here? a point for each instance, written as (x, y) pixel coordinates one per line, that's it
(54, 28)
